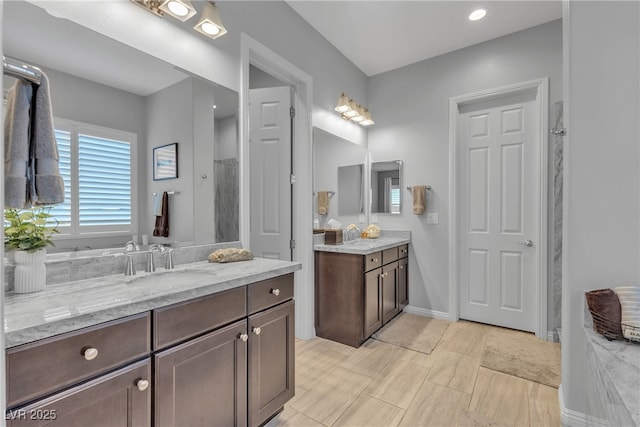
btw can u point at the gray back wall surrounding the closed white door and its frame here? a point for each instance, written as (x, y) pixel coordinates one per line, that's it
(418, 134)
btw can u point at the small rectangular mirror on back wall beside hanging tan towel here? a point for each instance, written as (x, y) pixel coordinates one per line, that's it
(386, 187)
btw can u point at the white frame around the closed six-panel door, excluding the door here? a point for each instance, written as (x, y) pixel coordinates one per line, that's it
(541, 89)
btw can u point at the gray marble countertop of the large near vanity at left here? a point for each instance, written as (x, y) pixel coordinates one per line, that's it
(70, 306)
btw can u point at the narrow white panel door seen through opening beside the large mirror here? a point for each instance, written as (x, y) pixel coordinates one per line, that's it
(270, 159)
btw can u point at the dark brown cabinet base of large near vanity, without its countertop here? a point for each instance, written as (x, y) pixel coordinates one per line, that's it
(225, 359)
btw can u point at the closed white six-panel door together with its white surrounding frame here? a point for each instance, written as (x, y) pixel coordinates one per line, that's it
(498, 251)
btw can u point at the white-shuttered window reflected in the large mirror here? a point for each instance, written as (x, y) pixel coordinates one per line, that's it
(96, 165)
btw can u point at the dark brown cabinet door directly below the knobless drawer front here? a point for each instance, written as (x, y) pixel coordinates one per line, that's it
(203, 382)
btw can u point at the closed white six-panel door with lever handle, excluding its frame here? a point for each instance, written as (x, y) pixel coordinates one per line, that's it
(499, 212)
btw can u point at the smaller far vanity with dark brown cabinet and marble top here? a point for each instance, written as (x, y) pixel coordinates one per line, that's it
(359, 287)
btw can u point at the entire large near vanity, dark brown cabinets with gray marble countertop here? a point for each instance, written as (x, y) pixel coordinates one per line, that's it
(210, 342)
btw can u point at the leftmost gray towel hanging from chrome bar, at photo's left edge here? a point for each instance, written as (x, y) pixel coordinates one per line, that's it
(16, 145)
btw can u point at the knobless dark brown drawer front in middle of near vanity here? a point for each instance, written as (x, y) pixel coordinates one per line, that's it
(181, 321)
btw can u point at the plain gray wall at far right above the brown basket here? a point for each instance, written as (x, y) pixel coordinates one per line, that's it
(601, 178)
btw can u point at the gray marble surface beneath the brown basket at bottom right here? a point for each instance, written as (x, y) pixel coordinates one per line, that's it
(620, 361)
